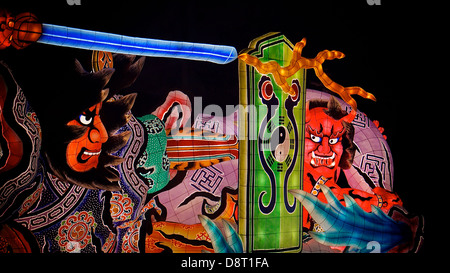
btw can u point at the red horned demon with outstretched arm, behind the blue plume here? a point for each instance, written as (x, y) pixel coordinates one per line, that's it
(329, 148)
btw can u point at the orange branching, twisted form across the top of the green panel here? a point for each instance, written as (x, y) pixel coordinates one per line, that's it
(281, 74)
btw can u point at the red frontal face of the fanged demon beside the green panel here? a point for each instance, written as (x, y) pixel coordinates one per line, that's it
(323, 143)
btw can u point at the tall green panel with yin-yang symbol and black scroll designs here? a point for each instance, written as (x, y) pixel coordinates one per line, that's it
(271, 152)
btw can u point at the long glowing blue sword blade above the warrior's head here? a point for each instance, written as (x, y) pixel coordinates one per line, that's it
(102, 41)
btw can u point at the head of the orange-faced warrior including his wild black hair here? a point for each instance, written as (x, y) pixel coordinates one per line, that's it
(78, 127)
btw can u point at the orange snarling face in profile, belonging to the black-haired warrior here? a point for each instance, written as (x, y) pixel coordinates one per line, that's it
(82, 153)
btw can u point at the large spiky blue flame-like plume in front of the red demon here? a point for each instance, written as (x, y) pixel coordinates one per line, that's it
(350, 225)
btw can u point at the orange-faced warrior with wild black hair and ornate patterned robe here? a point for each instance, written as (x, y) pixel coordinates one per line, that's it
(62, 130)
